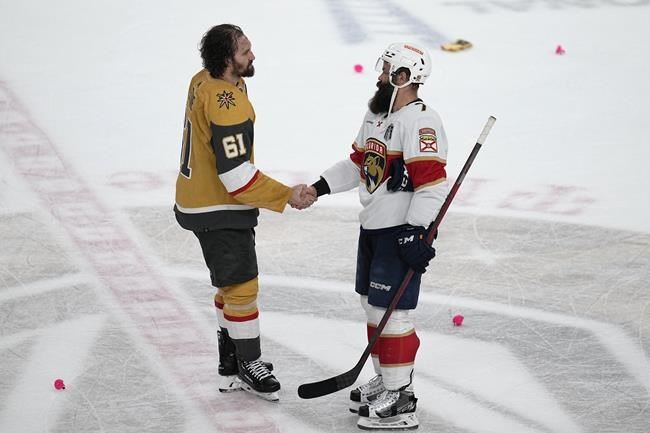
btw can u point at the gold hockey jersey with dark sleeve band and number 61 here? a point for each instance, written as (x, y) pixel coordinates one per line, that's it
(218, 185)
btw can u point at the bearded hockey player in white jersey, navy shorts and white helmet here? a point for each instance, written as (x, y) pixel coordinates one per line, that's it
(398, 164)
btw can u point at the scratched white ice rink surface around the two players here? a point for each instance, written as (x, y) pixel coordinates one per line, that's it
(545, 252)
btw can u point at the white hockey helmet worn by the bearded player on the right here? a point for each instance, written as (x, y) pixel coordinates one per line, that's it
(409, 56)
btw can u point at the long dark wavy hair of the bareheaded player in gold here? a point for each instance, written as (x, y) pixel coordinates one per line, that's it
(218, 46)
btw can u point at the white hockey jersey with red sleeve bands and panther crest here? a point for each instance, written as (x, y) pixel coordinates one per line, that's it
(413, 133)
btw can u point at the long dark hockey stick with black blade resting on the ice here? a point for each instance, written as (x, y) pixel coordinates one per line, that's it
(337, 383)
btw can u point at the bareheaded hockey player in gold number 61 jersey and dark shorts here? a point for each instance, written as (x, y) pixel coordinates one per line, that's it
(218, 193)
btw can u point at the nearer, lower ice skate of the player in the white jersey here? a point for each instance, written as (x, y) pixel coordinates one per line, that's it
(391, 410)
